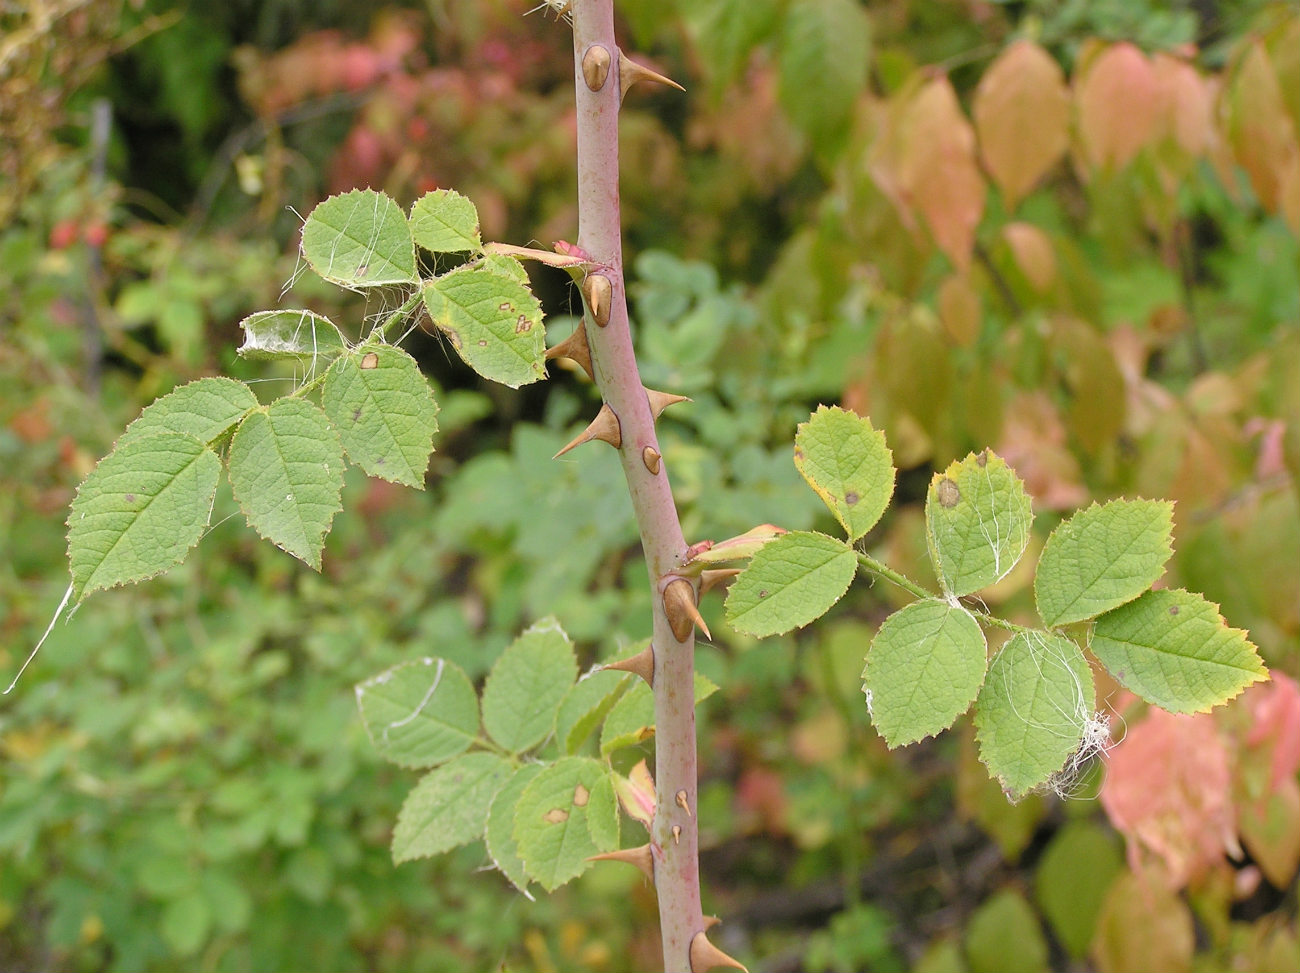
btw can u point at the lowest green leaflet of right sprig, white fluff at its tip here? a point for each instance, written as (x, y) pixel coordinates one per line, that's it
(1032, 711)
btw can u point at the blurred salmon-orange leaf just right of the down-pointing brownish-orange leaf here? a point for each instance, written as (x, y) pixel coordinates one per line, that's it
(1119, 77)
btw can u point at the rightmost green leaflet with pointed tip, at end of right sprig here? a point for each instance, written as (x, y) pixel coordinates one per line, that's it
(1175, 650)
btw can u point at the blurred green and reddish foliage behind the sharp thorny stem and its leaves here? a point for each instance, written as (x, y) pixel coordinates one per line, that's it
(1081, 249)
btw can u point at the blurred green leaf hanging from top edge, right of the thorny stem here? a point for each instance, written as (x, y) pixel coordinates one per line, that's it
(824, 63)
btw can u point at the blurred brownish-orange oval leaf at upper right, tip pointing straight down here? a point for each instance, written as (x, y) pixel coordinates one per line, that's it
(1022, 116)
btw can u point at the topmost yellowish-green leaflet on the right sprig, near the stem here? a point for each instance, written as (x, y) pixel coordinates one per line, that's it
(848, 465)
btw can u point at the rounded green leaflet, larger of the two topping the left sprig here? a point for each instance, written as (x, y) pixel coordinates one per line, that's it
(359, 240)
